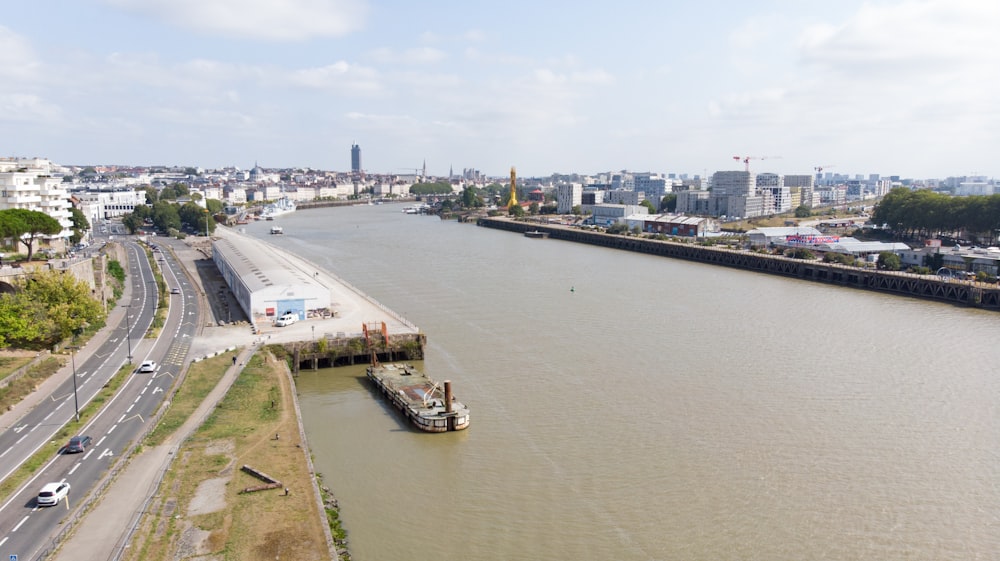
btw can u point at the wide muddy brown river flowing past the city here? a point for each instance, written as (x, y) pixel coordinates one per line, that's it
(632, 407)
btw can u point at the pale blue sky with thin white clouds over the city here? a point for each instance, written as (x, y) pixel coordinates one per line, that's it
(893, 87)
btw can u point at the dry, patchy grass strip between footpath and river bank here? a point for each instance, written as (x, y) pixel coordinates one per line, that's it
(200, 510)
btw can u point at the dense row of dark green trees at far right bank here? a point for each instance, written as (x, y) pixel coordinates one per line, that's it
(925, 213)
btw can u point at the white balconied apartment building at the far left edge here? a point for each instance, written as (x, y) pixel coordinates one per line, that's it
(27, 184)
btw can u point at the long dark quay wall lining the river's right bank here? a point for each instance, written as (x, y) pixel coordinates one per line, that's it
(928, 287)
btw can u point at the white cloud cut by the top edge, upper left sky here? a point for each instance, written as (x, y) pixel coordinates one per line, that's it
(287, 20)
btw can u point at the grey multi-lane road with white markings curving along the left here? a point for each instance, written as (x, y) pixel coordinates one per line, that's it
(28, 531)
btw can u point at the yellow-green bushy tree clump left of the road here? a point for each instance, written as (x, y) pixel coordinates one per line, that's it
(46, 308)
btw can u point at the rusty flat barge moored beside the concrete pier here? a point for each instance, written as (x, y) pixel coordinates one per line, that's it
(430, 406)
